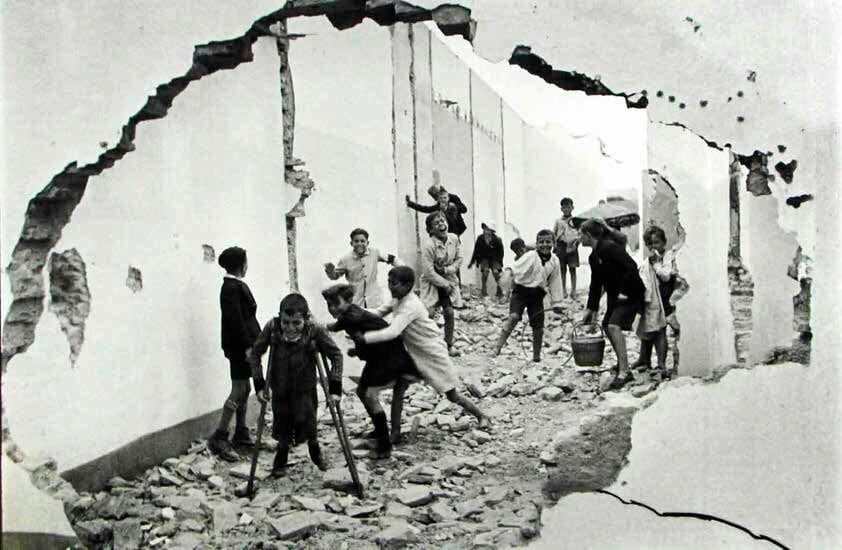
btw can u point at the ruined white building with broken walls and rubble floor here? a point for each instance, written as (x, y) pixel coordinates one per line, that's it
(140, 140)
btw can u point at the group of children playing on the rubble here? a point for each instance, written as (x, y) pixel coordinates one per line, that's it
(409, 348)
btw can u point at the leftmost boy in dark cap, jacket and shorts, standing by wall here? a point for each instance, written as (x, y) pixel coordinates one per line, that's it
(239, 329)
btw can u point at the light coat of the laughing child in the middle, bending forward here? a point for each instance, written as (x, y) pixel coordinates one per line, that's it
(448, 255)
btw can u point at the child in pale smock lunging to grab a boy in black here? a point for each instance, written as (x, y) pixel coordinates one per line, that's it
(422, 339)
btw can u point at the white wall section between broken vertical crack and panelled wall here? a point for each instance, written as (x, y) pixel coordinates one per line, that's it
(348, 152)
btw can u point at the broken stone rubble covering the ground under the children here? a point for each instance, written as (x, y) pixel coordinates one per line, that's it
(449, 485)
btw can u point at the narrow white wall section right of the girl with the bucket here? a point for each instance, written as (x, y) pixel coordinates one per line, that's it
(700, 177)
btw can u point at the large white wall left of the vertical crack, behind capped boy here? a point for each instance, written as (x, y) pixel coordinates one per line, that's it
(152, 359)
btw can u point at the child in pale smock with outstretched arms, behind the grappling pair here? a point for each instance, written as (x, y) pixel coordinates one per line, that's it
(360, 269)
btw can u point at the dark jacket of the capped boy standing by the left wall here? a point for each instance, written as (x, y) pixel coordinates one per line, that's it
(239, 324)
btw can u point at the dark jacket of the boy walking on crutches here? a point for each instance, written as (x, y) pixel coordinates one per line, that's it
(293, 364)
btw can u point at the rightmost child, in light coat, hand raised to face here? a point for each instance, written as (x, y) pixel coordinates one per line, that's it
(661, 279)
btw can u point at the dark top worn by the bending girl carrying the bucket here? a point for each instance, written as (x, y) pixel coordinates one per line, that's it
(614, 271)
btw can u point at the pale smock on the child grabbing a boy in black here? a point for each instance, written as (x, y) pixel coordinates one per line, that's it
(422, 338)
